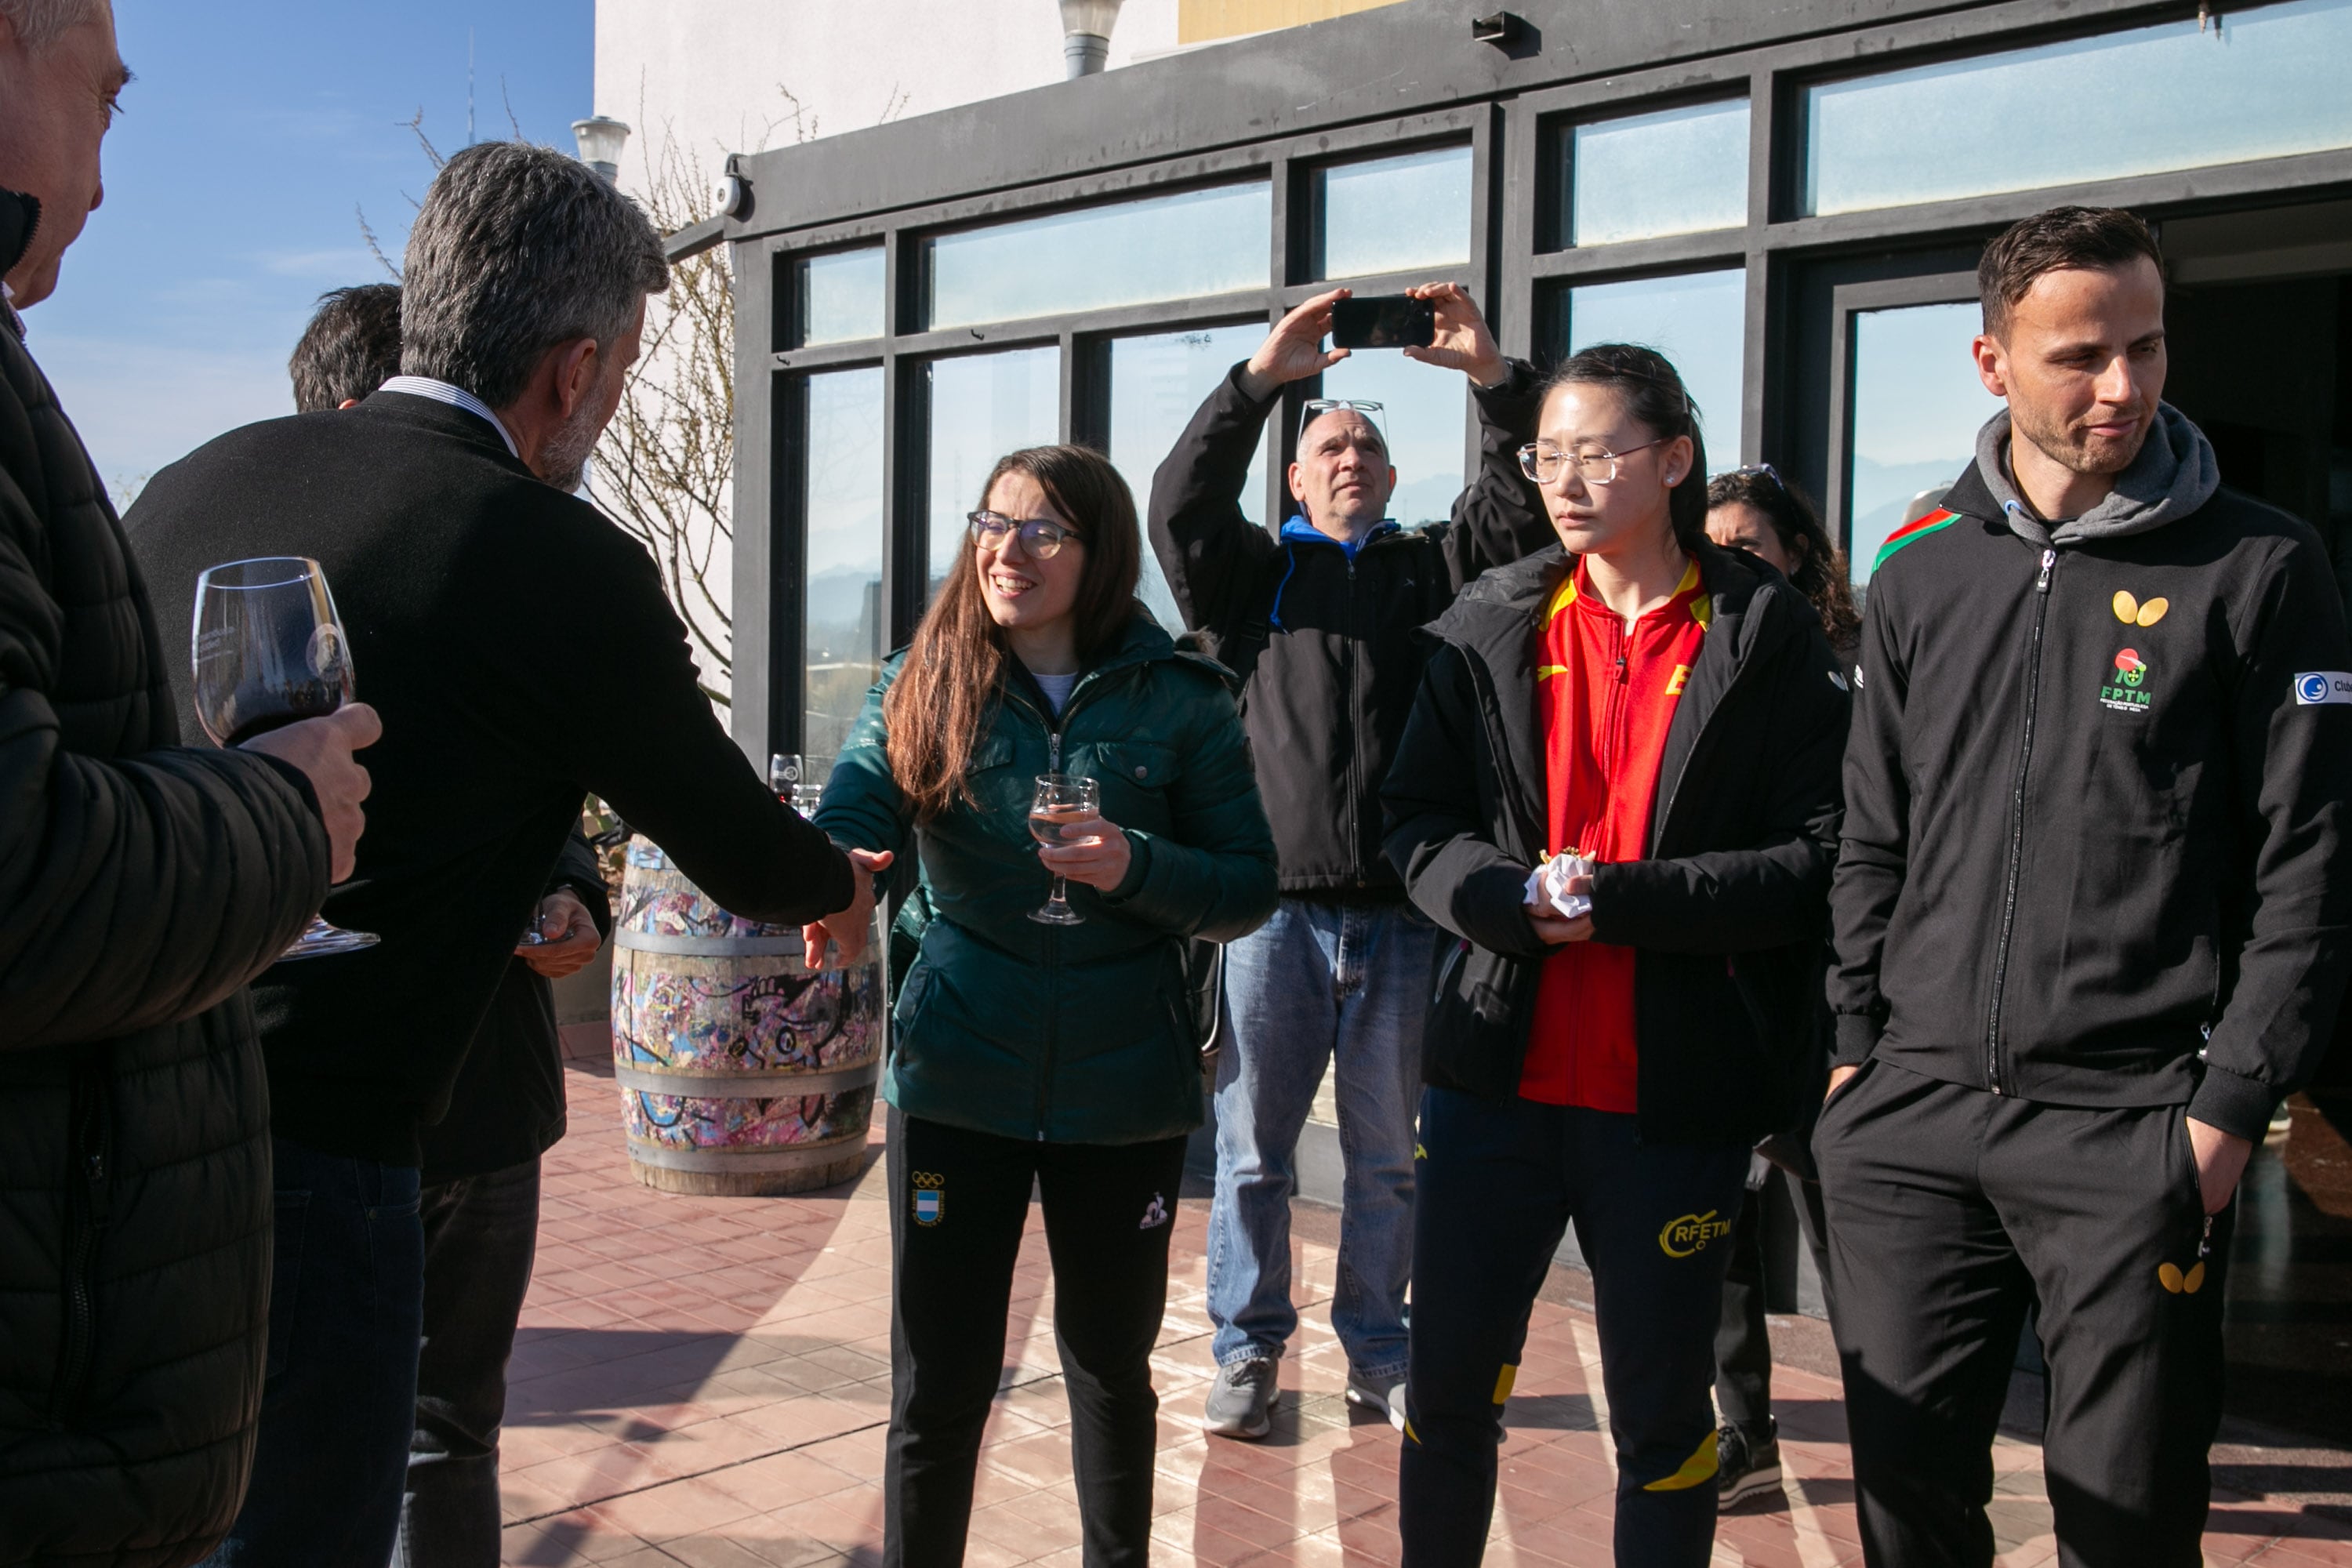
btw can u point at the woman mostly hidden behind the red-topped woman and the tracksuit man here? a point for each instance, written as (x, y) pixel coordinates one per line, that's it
(1758, 511)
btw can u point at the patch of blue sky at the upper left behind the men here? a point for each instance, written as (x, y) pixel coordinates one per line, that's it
(253, 138)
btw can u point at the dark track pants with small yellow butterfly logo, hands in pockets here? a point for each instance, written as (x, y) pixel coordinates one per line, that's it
(1951, 1209)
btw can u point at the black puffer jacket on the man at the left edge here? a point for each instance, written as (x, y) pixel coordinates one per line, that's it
(140, 890)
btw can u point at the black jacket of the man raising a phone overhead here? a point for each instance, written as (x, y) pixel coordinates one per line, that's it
(1328, 643)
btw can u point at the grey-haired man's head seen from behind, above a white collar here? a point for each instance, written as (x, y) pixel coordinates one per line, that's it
(526, 283)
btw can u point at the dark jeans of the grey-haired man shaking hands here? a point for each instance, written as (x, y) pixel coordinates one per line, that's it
(340, 1388)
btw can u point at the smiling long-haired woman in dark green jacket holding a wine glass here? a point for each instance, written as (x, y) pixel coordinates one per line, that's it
(1031, 1052)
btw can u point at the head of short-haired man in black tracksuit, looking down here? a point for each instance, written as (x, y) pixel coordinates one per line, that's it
(2076, 337)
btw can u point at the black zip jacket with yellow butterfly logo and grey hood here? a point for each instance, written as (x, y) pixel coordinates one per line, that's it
(2097, 803)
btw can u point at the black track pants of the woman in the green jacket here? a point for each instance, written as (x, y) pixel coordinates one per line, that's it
(958, 1207)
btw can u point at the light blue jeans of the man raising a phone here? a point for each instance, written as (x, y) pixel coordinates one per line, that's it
(1344, 986)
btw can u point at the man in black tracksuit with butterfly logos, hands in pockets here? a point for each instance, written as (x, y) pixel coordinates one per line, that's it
(2090, 923)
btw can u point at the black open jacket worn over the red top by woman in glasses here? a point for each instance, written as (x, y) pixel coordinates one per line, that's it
(1728, 913)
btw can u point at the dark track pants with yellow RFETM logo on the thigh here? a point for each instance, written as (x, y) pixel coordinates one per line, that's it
(1499, 1184)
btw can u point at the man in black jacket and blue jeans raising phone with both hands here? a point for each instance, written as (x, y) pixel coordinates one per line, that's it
(1321, 624)
